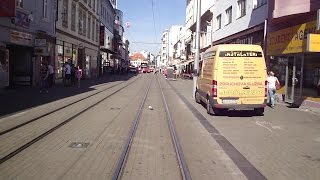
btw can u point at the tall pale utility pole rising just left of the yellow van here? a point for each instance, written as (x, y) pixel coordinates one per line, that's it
(196, 59)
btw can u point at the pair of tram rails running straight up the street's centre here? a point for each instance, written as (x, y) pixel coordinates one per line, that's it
(121, 164)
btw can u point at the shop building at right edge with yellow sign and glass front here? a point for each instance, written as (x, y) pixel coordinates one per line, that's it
(293, 49)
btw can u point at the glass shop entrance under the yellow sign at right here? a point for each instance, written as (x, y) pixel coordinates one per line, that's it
(294, 76)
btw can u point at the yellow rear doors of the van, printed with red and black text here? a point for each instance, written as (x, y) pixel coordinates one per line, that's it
(241, 77)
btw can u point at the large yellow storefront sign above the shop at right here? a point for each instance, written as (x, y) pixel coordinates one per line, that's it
(290, 40)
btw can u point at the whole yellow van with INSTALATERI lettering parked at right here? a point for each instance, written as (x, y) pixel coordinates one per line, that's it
(232, 77)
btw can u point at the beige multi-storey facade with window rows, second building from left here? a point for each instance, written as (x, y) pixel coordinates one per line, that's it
(77, 32)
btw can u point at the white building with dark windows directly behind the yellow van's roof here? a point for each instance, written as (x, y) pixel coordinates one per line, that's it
(240, 22)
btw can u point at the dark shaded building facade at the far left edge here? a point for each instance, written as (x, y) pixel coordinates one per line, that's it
(27, 39)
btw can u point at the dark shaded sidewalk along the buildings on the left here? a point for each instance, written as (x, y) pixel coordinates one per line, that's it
(20, 98)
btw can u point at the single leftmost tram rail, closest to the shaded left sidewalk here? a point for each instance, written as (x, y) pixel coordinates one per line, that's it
(58, 109)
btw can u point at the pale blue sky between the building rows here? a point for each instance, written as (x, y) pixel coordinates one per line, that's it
(139, 14)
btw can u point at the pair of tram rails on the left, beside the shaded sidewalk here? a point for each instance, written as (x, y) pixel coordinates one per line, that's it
(61, 124)
